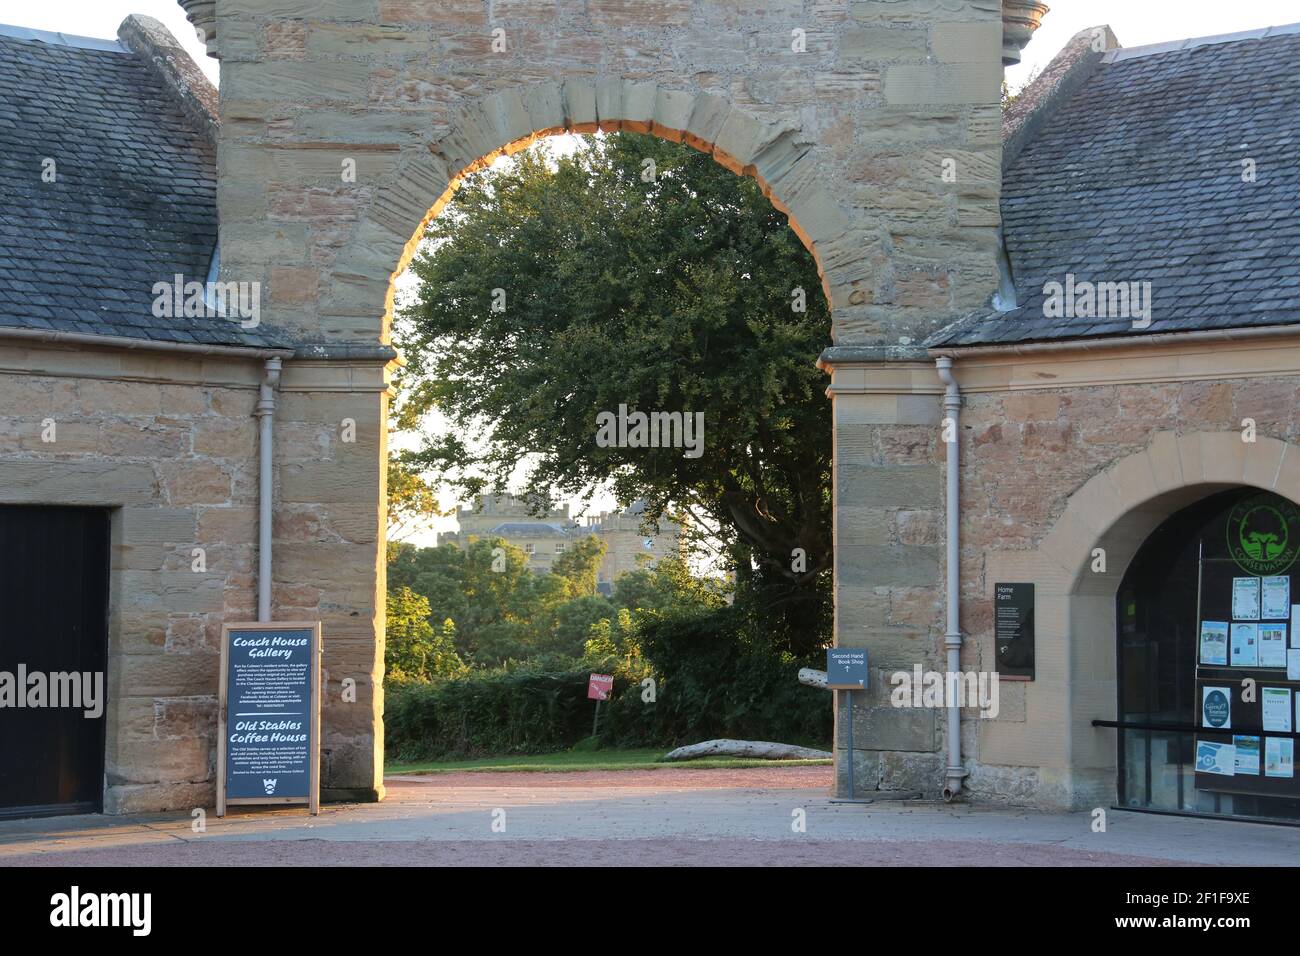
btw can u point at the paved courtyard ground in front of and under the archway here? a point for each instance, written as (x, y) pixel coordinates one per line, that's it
(662, 817)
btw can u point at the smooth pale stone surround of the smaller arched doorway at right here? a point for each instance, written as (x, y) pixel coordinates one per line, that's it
(1116, 511)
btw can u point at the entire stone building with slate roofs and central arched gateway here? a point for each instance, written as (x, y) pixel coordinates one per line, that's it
(963, 254)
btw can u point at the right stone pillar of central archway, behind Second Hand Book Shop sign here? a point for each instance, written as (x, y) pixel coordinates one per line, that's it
(889, 557)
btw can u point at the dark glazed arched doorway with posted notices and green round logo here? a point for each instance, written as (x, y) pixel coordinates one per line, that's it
(1204, 620)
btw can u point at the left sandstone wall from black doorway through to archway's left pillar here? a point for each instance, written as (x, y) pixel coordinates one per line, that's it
(170, 444)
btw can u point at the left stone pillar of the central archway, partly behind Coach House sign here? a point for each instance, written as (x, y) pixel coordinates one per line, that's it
(330, 552)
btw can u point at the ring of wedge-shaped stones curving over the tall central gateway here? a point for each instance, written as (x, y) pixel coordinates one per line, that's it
(774, 154)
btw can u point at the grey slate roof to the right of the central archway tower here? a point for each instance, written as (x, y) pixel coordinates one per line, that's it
(1138, 178)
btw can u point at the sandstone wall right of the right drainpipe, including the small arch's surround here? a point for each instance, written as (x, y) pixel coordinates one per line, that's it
(1050, 474)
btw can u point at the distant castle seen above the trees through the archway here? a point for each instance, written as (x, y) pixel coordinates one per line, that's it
(545, 538)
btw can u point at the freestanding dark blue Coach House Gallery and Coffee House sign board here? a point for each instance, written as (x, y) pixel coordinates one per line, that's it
(270, 716)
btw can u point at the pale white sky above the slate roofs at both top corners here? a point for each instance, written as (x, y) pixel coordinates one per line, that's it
(1137, 23)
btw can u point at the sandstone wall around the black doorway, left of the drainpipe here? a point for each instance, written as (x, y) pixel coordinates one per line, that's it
(171, 447)
